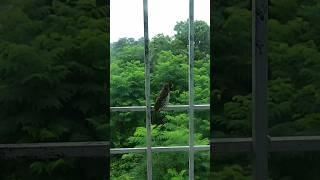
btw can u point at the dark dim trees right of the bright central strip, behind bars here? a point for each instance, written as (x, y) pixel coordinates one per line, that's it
(293, 83)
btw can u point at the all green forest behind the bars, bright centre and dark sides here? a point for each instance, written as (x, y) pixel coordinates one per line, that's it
(53, 57)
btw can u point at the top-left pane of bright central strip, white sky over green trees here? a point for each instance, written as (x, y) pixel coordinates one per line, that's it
(127, 53)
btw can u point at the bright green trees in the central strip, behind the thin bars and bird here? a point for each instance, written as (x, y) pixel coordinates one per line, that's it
(169, 63)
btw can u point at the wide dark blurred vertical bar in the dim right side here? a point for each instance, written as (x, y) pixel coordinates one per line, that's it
(259, 88)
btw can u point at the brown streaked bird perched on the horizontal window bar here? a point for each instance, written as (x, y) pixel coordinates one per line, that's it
(162, 100)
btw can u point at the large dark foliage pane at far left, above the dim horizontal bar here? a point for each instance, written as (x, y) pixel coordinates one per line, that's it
(52, 71)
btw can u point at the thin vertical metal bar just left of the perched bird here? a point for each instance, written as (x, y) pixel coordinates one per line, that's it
(147, 89)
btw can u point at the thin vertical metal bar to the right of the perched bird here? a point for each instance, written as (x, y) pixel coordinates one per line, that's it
(191, 89)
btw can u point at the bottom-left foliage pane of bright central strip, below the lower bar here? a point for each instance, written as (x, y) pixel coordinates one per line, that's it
(128, 166)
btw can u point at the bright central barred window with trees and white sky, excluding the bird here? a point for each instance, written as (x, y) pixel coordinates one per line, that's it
(145, 65)
